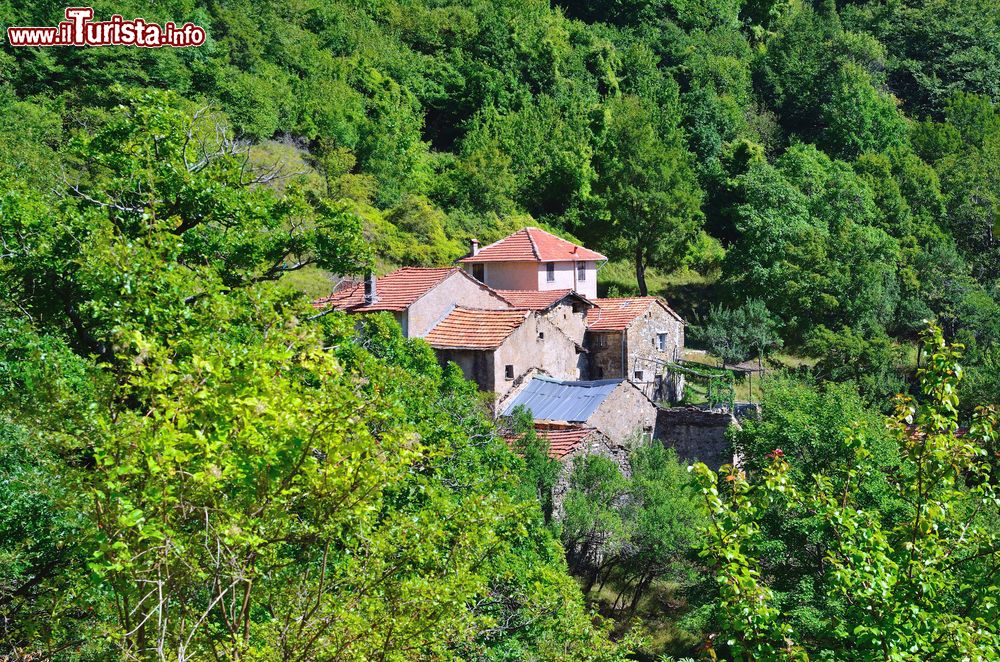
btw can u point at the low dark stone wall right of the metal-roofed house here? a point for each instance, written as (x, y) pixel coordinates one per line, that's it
(696, 435)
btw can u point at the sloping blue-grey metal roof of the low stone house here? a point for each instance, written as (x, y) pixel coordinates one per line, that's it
(553, 400)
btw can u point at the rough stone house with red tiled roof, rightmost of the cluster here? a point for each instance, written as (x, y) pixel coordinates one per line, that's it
(634, 338)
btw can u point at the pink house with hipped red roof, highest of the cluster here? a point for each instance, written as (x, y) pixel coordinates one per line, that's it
(533, 259)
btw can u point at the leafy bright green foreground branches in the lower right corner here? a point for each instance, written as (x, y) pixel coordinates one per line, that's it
(920, 582)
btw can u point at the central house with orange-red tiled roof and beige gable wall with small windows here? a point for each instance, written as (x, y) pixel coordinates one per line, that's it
(498, 348)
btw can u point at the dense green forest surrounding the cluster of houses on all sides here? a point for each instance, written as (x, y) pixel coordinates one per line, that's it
(194, 464)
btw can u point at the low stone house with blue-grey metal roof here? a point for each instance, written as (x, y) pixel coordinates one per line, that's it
(614, 407)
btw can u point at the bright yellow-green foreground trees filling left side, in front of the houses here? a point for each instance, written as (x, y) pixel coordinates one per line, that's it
(238, 477)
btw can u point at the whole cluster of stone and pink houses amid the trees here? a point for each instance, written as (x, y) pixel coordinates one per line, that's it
(522, 319)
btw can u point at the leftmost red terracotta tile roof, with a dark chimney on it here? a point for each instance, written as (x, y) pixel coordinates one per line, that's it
(395, 292)
